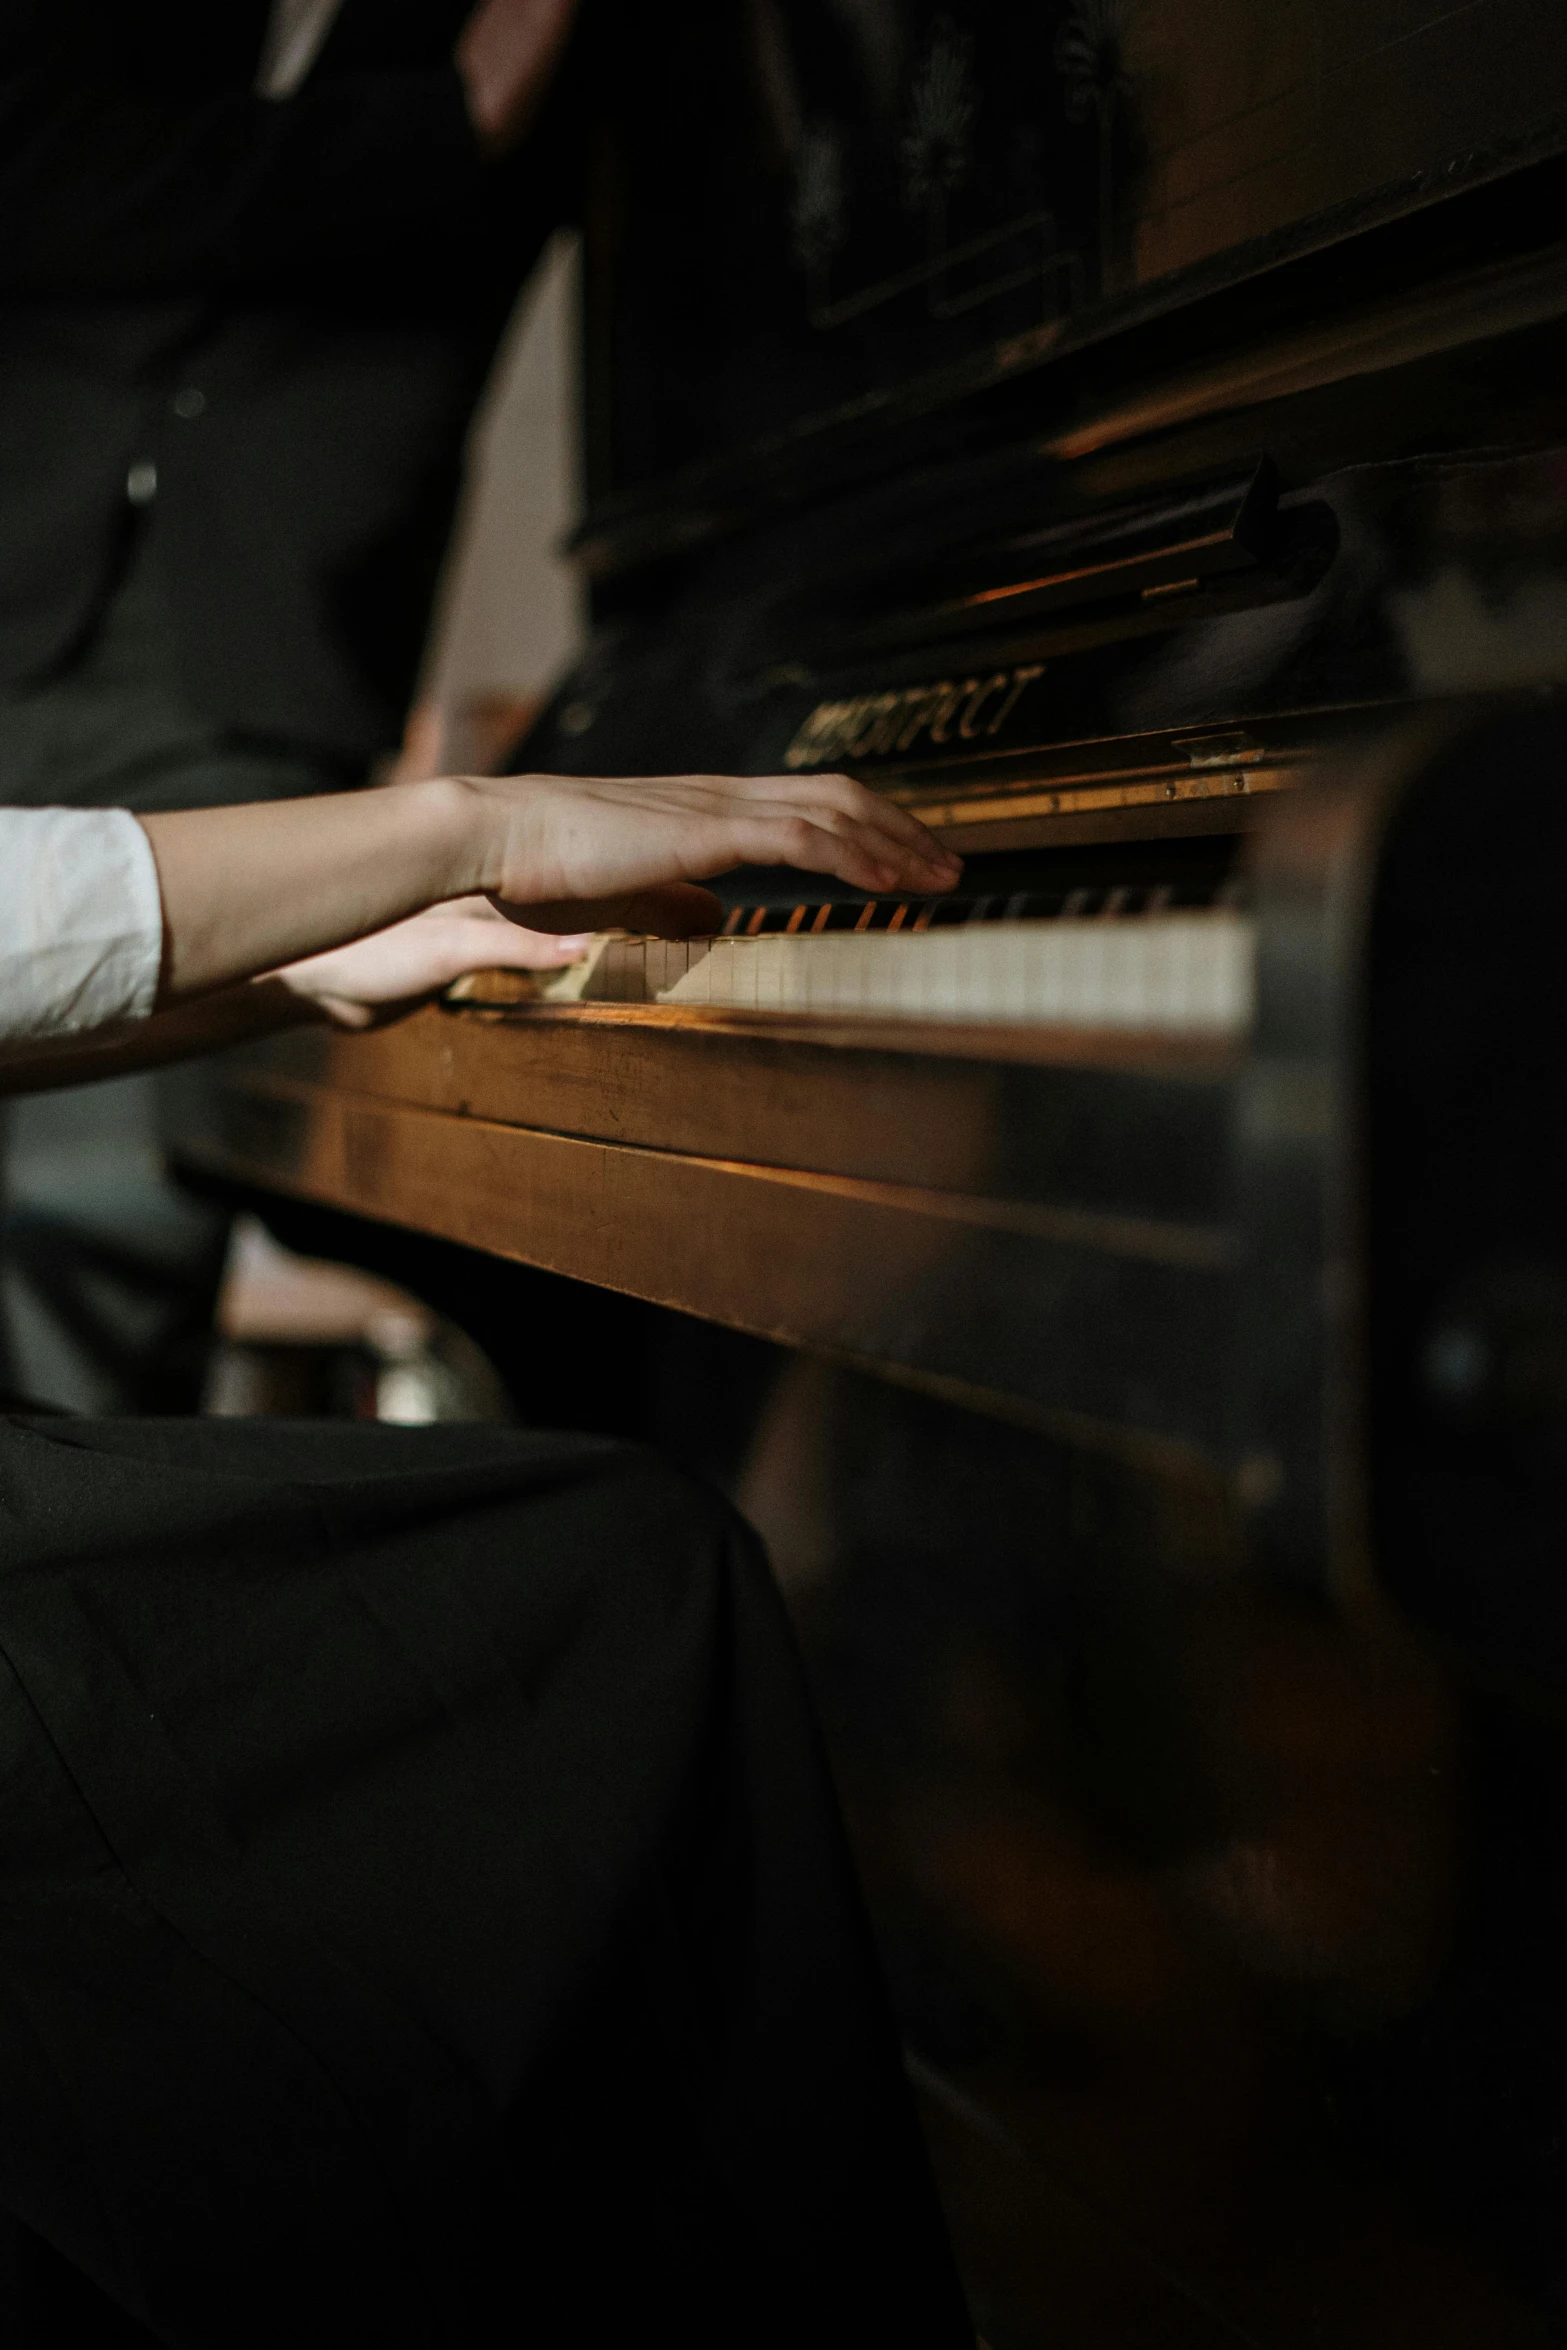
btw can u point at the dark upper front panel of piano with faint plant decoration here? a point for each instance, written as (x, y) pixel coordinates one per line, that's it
(812, 224)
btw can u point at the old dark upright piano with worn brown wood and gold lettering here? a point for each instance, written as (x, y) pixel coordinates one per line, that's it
(1136, 438)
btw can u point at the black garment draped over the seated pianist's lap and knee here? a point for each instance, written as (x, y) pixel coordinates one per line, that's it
(424, 1914)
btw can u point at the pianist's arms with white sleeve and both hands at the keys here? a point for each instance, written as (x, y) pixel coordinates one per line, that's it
(137, 934)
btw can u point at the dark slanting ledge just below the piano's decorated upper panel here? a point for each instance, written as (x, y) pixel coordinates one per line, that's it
(1404, 269)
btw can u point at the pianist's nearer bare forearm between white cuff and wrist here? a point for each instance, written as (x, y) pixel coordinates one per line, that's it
(257, 887)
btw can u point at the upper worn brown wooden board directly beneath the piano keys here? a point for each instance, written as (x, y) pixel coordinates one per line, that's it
(1129, 1124)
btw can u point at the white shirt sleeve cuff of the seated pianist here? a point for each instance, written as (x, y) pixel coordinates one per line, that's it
(81, 922)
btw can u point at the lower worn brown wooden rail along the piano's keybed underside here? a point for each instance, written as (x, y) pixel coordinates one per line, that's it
(1014, 1305)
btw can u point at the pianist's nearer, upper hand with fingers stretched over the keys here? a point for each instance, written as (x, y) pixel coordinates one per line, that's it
(589, 852)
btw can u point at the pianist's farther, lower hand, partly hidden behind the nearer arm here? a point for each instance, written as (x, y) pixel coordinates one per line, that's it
(384, 976)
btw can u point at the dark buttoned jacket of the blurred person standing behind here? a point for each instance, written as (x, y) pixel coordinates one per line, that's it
(281, 307)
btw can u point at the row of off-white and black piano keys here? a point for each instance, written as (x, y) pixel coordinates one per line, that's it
(1105, 965)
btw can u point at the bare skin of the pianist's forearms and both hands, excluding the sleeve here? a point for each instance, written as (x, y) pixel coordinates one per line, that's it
(281, 885)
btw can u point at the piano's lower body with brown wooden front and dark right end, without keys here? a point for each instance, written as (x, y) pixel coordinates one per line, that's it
(1197, 1688)
